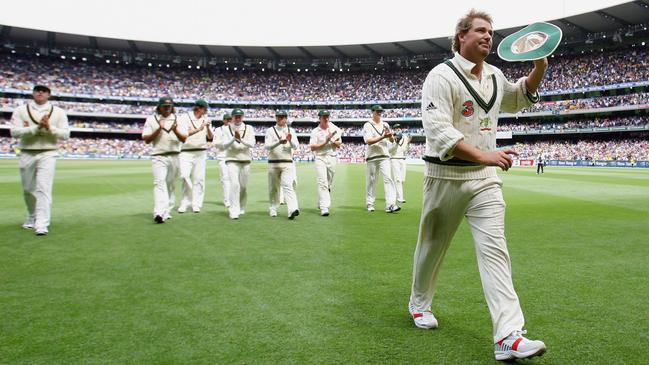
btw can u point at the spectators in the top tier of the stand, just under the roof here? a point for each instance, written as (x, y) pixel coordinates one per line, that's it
(20, 72)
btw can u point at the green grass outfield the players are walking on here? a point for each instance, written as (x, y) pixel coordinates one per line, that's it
(107, 285)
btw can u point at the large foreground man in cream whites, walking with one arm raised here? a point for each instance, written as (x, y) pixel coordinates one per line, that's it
(461, 99)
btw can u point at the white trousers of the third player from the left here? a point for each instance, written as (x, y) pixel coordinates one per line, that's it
(192, 173)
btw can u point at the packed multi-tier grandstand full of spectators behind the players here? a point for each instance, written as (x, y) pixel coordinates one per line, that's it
(594, 103)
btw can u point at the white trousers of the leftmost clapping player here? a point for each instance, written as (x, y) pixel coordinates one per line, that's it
(37, 176)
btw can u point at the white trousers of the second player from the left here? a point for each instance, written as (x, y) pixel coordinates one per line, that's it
(165, 172)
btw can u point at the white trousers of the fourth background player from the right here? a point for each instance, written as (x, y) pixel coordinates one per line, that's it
(281, 178)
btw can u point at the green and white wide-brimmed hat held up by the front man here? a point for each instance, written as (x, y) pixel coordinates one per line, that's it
(536, 41)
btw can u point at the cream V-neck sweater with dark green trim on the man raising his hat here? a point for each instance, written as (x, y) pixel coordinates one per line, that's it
(460, 106)
